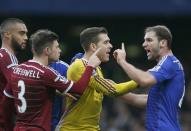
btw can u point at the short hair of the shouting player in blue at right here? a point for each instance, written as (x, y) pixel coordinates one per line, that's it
(162, 32)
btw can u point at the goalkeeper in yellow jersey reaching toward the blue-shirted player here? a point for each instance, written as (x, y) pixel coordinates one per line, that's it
(83, 114)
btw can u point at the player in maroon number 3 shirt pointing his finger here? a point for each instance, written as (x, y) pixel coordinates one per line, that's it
(33, 83)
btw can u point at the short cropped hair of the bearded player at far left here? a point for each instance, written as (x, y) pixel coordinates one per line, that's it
(9, 23)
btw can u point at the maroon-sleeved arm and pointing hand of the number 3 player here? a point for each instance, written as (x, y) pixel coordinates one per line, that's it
(52, 79)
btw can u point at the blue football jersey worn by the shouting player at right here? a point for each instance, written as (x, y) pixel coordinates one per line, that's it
(165, 97)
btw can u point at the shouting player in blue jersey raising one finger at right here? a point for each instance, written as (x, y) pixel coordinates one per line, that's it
(166, 79)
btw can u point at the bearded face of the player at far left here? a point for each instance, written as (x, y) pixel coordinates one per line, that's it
(19, 37)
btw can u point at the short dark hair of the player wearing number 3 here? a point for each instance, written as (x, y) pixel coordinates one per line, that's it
(41, 39)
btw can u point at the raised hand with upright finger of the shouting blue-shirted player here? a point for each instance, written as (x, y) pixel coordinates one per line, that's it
(120, 54)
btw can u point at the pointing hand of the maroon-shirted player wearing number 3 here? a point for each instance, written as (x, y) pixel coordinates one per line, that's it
(94, 61)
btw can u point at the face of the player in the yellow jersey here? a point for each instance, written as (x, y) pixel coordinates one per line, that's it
(106, 46)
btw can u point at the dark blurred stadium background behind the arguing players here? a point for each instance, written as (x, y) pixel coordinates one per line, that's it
(125, 21)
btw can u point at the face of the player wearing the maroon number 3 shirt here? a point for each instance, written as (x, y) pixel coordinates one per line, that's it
(54, 52)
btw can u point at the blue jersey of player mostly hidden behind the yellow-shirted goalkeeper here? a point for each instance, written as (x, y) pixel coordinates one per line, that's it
(61, 67)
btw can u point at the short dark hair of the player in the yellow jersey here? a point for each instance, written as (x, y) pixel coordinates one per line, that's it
(90, 35)
